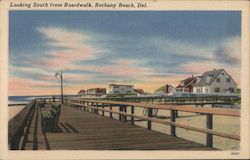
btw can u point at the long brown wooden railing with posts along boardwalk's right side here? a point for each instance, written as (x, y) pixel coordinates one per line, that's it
(98, 105)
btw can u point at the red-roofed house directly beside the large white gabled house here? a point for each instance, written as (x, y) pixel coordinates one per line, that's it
(186, 85)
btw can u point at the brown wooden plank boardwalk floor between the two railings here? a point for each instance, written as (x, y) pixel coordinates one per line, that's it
(81, 130)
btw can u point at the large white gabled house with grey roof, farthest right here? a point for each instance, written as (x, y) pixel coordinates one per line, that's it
(215, 81)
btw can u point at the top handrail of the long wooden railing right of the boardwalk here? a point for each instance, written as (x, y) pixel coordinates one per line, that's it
(214, 111)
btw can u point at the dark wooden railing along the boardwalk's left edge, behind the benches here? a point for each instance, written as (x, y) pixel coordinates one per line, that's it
(19, 125)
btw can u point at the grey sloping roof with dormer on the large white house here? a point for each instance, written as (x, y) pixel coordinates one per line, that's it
(212, 74)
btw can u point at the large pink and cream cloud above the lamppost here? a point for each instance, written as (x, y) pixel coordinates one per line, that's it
(67, 47)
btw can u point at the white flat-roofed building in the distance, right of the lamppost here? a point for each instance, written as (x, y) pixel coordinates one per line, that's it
(120, 89)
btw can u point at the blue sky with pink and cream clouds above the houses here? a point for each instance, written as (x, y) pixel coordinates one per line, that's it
(95, 48)
